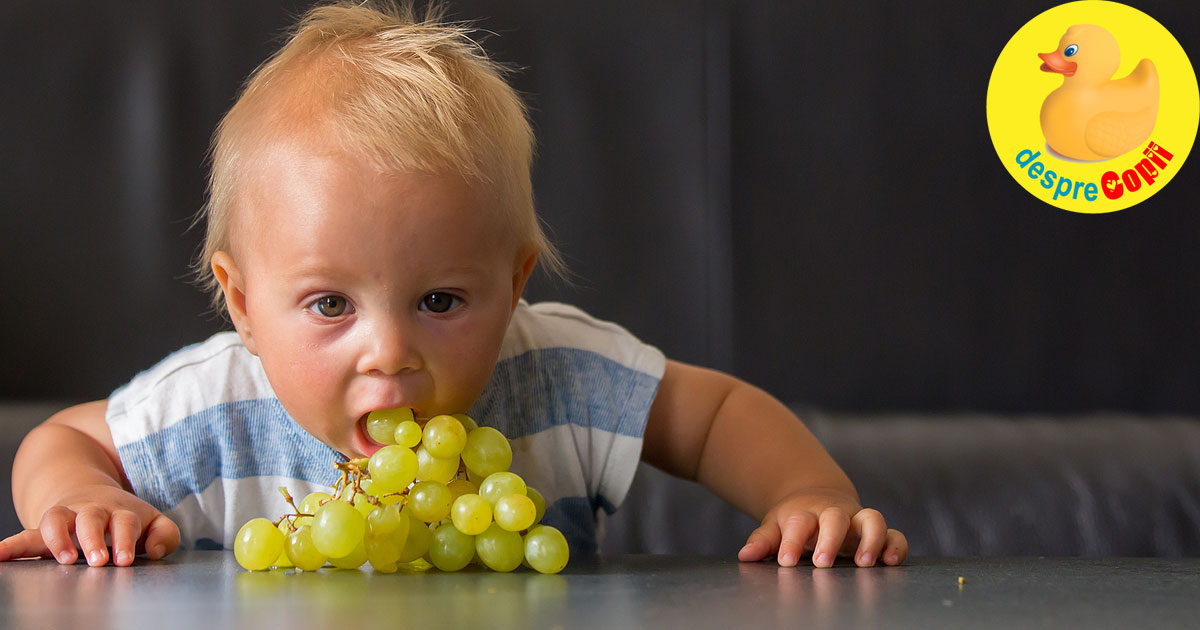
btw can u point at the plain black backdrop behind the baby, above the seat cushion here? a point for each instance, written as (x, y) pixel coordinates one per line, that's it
(802, 194)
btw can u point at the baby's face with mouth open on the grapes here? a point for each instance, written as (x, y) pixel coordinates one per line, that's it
(364, 292)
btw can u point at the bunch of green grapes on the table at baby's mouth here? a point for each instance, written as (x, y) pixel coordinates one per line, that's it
(439, 494)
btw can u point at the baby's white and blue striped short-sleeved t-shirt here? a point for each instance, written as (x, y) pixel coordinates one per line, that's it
(203, 437)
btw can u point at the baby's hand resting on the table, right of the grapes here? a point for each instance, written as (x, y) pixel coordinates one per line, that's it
(829, 524)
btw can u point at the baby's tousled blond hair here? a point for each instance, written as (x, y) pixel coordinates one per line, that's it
(407, 94)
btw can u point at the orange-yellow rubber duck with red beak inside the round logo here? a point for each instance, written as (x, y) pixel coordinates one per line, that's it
(1093, 117)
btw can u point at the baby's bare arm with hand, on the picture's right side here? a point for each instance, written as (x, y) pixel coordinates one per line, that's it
(749, 449)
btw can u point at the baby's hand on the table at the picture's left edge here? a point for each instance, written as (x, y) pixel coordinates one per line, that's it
(85, 518)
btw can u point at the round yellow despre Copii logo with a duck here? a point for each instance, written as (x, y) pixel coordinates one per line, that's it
(1093, 106)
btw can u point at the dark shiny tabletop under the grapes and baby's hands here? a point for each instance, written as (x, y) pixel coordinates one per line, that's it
(208, 590)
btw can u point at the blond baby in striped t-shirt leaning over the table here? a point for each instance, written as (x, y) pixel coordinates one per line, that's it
(370, 232)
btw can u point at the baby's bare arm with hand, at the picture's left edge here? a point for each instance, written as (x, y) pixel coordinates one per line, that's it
(68, 487)
